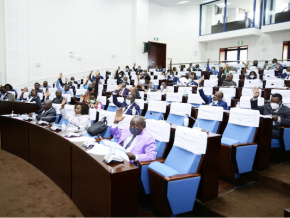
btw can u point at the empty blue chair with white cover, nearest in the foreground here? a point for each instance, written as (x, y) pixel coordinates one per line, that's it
(174, 183)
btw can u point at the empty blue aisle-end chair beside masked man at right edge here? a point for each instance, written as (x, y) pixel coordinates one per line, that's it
(238, 149)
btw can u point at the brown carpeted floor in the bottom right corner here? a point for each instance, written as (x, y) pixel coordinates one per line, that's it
(253, 201)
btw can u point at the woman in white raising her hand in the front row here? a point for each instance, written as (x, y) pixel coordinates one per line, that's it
(80, 120)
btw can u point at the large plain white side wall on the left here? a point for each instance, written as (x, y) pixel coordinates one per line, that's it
(43, 33)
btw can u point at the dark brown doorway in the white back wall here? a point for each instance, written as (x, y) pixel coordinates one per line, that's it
(157, 55)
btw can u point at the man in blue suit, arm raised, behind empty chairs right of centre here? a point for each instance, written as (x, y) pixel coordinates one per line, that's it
(216, 99)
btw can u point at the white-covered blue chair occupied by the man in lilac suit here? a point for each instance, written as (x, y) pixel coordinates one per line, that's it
(161, 132)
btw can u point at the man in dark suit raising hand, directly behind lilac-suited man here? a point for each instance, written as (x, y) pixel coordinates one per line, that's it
(129, 105)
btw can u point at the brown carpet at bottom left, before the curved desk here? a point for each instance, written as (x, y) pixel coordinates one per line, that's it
(27, 192)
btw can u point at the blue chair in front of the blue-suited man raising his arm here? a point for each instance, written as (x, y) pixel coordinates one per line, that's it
(209, 118)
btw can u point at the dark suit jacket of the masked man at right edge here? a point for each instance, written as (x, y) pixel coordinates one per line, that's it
(284, 113)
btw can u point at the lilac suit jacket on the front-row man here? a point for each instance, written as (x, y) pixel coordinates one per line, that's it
(144, 145)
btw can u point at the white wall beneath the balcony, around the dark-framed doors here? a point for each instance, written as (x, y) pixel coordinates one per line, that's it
(263, 47)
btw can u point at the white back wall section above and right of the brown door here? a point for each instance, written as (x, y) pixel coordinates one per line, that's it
(178, 27)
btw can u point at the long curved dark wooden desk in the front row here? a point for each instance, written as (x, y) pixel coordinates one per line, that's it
(98, 189)
